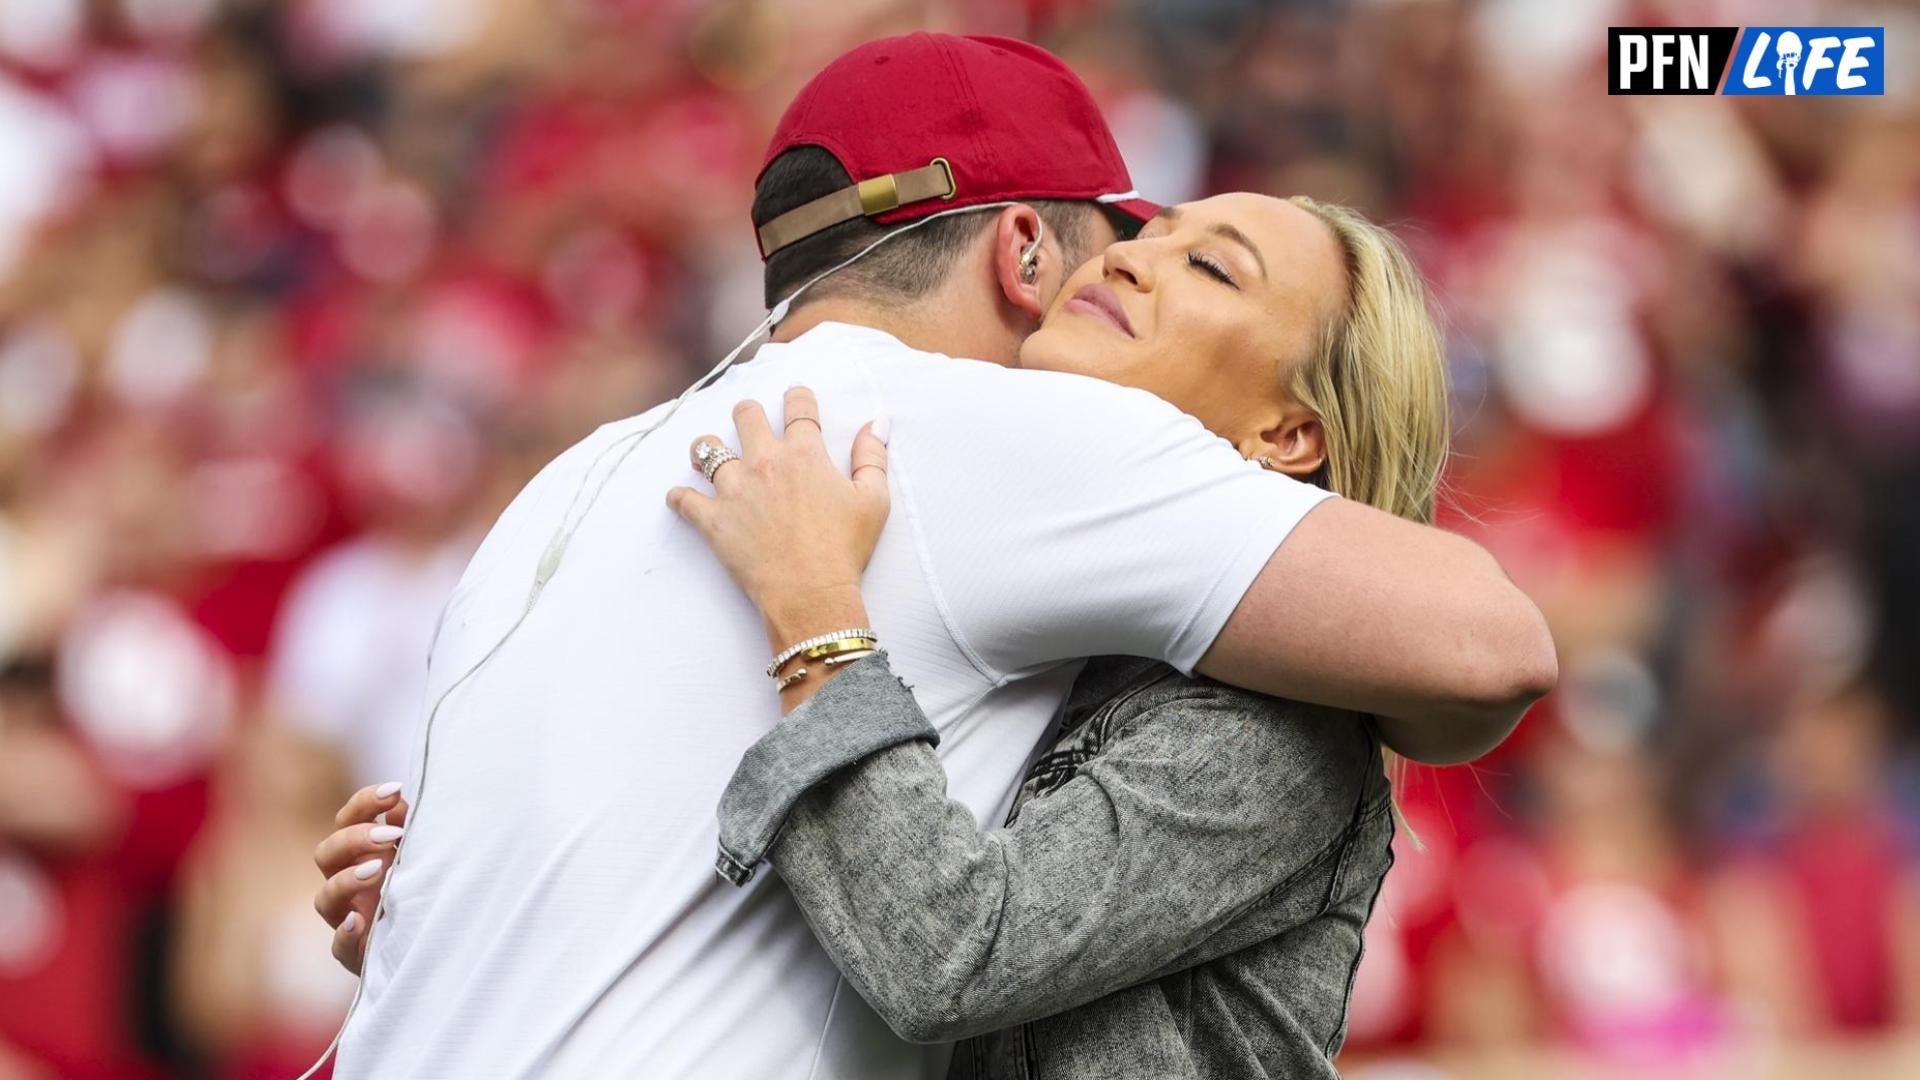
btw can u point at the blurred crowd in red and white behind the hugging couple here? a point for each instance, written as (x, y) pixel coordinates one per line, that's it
(297, 295)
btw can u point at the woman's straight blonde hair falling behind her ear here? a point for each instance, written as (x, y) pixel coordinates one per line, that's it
(1378, 378)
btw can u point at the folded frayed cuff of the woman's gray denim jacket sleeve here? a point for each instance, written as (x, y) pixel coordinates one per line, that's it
(857, 714)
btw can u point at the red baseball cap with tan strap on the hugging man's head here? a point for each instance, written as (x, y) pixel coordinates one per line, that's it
(934, 122)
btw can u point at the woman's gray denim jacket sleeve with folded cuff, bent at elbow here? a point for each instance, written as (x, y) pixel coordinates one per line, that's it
(1195, 810)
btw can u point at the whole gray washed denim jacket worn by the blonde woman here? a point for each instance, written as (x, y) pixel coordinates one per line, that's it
(1180, 891)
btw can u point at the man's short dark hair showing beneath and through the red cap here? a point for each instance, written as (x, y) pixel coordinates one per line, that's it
(901, 270)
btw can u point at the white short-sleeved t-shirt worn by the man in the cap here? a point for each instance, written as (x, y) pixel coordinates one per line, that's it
(558, 910)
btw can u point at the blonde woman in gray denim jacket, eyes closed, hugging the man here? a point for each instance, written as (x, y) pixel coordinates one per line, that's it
(1188, 870)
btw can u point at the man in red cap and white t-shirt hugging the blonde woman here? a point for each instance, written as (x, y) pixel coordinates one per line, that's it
(596, 675)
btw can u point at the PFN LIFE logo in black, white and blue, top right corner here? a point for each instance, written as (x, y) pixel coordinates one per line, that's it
(1769, 61)
